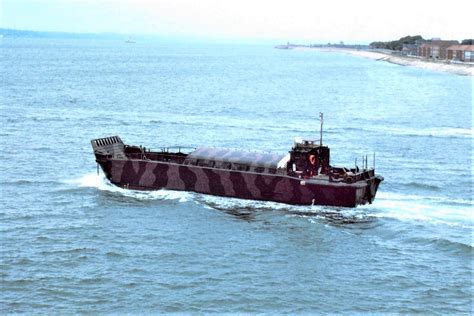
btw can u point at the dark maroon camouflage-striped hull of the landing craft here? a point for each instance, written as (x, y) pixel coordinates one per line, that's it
(145, 174)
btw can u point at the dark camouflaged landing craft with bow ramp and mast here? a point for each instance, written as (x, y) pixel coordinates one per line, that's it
(302, 177)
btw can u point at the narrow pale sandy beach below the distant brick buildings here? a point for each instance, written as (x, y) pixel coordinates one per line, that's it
(459, 69)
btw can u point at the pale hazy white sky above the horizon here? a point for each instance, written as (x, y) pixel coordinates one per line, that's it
(296, 20)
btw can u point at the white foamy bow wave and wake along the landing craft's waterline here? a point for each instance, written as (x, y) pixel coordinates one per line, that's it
(405, 207)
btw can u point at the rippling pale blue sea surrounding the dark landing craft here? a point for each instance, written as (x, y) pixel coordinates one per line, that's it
(71, 242)
